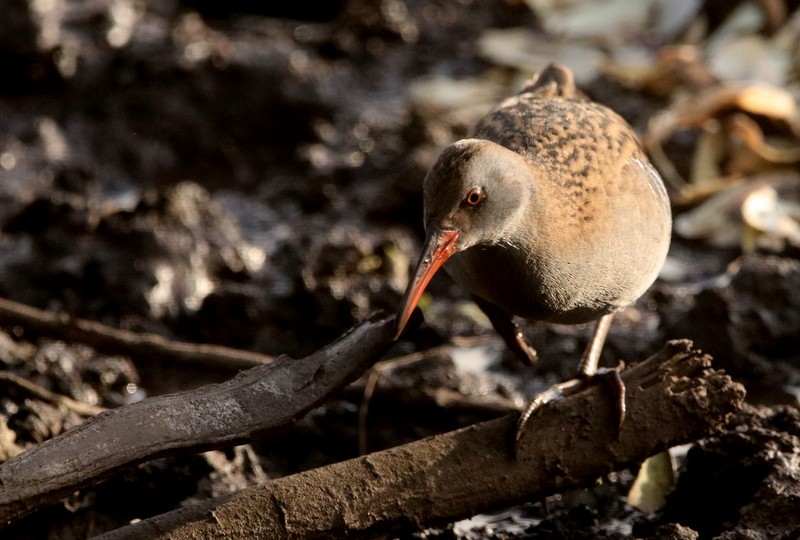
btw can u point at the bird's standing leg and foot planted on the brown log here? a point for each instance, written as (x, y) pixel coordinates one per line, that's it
(587, 371)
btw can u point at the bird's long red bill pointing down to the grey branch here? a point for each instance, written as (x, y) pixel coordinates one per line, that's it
(439, 246)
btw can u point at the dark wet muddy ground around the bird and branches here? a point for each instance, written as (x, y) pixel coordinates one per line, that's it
(250, 175)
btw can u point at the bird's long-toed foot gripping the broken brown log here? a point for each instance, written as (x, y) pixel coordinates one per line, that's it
(573, 386)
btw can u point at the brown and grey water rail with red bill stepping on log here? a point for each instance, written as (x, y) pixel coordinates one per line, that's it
(549, 211)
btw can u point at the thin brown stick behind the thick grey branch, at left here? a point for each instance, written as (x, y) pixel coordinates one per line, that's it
(111, 340)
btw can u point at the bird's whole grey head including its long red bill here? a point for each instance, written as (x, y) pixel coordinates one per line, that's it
(475, 194)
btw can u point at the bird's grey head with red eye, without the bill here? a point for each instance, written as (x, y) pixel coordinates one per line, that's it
(478, 188)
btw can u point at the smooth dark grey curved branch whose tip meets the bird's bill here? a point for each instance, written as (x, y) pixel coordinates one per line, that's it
(249, 406)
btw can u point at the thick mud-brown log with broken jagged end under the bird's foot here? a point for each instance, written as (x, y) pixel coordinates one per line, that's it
(673, 398)
